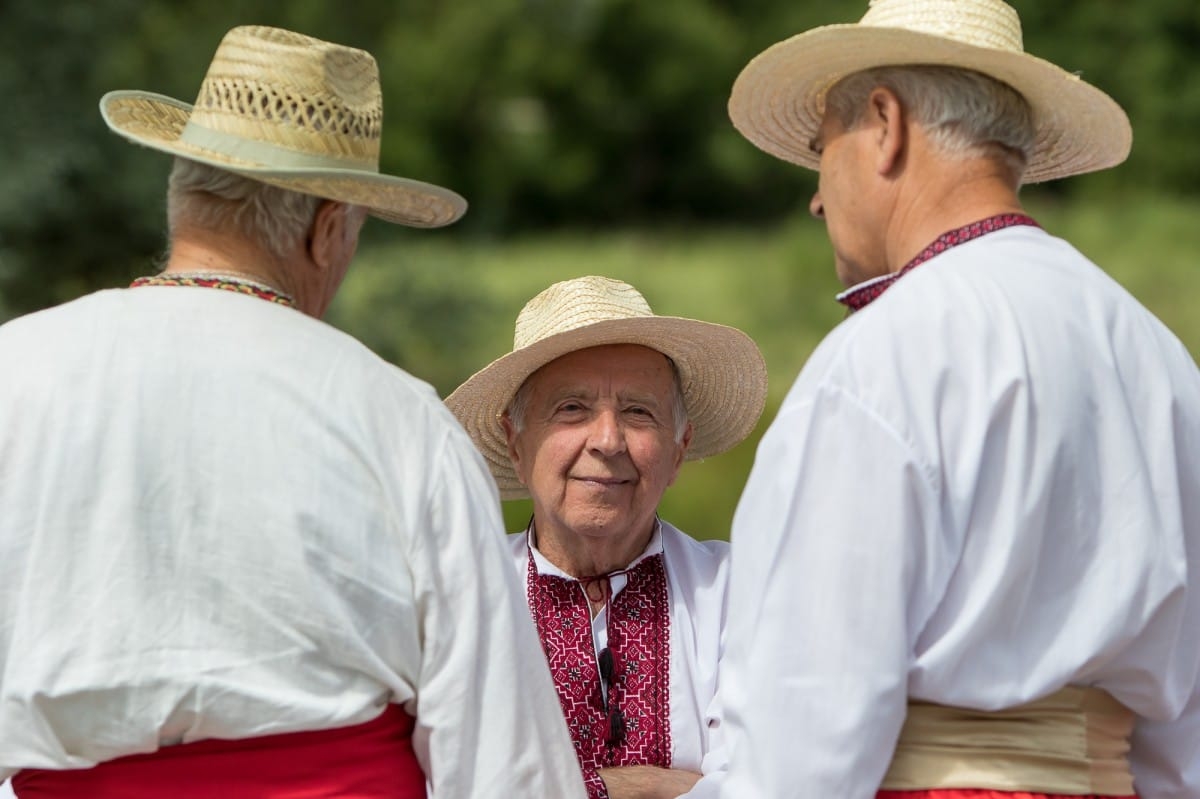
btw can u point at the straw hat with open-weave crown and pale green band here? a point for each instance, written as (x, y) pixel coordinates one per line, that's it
(290, 111)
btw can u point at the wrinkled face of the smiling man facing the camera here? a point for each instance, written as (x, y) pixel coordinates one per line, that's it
(597, 449)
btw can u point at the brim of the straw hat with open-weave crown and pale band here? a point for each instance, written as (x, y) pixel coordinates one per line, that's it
(158, 122)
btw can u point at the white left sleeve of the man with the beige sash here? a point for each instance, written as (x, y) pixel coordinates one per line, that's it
(833, 542)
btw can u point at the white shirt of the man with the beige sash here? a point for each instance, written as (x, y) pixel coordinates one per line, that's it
(982, 488)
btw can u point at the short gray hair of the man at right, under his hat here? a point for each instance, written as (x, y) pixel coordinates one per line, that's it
(965, 113)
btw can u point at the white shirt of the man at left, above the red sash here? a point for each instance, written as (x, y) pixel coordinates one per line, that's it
(224, 519)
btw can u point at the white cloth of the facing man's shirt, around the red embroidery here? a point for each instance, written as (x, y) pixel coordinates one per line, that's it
(698, 578)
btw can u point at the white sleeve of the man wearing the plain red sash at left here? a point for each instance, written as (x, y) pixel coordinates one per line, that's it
(488, 718)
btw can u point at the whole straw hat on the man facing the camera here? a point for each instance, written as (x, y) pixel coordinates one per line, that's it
(722, 371)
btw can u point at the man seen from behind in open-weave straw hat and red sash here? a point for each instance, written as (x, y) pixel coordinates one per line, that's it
(241, 556)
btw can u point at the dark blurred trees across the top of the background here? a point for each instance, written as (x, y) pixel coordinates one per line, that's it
(543, 113)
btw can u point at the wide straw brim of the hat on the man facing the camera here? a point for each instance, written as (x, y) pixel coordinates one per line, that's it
(723, 374)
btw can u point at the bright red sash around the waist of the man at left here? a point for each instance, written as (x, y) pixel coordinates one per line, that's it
(369, 761)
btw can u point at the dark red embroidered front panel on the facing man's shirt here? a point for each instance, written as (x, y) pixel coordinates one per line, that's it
(639, 636)
